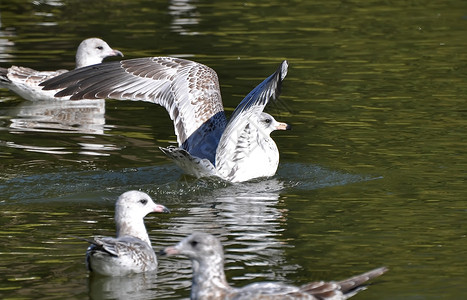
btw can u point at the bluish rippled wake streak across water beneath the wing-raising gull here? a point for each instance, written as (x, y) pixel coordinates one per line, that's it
(165, 181)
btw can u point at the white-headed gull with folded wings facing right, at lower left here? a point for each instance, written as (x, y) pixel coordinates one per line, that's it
(131, 251)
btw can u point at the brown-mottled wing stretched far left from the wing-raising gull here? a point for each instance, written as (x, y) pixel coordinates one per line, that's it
(189, 91)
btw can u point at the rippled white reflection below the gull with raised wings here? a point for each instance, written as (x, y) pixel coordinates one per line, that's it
(249, 220)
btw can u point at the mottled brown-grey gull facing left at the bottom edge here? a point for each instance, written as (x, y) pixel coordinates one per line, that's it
(209, 282)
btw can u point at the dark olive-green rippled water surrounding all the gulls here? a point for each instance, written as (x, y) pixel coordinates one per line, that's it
(373, 172)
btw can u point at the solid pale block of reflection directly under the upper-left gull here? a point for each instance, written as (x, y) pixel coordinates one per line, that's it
(83, 116)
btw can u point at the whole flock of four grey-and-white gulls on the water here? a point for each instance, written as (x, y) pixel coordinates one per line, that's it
(237, 149)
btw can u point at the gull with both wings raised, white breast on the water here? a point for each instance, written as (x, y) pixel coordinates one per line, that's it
(238, 150)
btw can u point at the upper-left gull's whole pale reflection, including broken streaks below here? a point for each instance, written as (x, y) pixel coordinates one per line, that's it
(59, 117)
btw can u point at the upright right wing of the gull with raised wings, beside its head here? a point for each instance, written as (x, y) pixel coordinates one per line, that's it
(232, 143)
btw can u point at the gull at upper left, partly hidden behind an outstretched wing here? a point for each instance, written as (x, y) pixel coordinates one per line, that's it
(25, 81)
